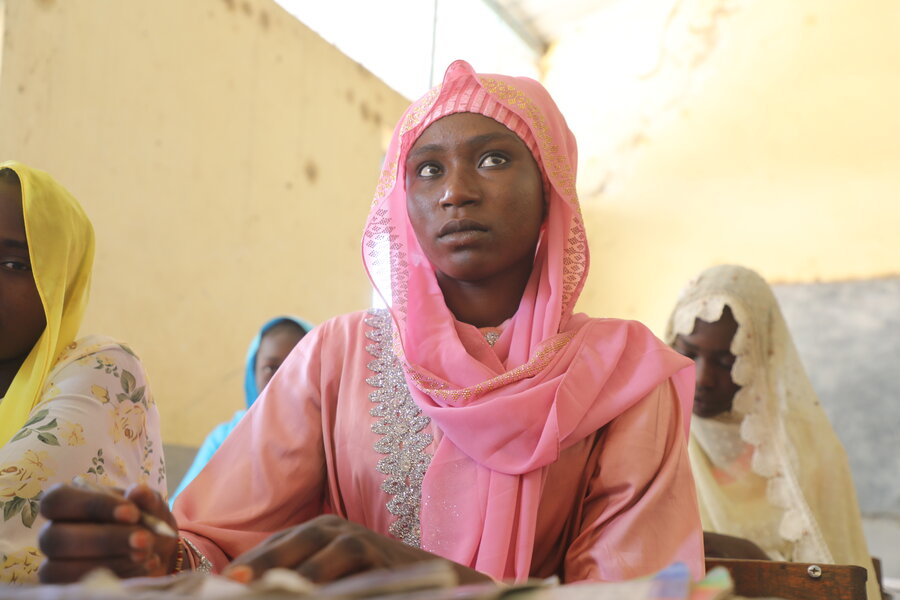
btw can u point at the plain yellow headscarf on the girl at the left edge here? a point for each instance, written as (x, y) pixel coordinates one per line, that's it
(61, 248)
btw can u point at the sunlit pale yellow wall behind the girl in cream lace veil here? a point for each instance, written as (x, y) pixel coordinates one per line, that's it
(782, 152)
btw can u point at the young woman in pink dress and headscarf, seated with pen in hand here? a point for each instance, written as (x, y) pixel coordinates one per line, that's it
(478, 420)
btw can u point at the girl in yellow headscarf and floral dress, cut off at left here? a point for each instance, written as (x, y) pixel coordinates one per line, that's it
(68, 406)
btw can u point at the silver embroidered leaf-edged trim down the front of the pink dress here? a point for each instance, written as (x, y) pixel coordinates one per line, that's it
(400, 423)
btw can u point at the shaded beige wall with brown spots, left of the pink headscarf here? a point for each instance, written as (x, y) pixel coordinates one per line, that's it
(227, 156)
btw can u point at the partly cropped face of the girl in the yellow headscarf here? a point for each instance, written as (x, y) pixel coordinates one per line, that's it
(22, 317)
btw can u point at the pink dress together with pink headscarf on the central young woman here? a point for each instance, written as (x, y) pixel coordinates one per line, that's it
(554, 446)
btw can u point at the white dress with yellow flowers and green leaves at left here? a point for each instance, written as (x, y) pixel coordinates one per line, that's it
(97, 419)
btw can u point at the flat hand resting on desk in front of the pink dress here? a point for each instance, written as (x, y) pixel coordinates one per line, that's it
(329, 548)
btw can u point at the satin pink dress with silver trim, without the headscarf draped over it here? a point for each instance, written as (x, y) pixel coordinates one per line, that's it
(336, 431)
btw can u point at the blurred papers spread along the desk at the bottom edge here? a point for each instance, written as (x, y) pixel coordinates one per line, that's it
(421, 581)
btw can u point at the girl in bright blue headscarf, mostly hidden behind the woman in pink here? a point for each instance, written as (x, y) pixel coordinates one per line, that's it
(268, 349)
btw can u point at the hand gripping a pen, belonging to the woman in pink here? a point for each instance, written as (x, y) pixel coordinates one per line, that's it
(87, 530)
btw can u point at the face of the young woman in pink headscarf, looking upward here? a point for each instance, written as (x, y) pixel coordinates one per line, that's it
(474, 198)
